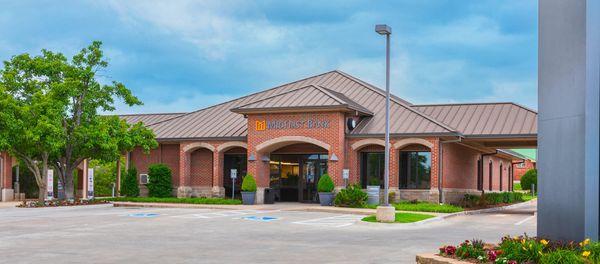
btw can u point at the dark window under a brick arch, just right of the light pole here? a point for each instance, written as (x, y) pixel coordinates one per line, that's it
(415, 169)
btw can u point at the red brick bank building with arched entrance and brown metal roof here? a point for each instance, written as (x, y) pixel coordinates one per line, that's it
(290, 135)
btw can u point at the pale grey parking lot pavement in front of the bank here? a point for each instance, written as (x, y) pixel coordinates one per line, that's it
(105, 234)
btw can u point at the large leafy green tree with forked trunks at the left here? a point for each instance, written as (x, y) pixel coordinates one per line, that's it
(50, 111)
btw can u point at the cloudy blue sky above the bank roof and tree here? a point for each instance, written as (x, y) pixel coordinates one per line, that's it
(186, 55)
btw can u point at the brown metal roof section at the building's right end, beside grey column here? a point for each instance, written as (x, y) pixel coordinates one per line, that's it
(485, 119)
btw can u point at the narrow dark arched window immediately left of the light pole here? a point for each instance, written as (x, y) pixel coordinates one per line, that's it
(372, 168)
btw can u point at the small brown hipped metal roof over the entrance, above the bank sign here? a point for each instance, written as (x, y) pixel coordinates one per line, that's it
(309, 98)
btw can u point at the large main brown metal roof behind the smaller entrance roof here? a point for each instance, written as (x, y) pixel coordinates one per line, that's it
(219, 122)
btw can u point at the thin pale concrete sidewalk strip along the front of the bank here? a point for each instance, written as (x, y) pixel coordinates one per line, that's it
(277, 206)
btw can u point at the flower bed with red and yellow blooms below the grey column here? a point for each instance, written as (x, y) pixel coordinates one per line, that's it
(524, 249)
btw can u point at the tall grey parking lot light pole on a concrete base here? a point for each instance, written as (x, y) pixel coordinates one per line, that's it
(386, 213)
